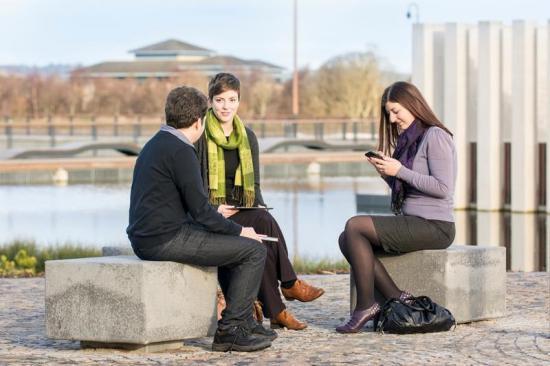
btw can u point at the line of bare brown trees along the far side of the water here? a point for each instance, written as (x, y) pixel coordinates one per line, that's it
(346, 86)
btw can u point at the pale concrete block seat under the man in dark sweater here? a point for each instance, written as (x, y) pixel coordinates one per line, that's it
(124, 302)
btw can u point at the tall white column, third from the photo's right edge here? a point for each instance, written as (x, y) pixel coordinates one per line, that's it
(489, 169)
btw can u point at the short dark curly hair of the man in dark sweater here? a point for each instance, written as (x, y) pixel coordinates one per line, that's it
(184, 105)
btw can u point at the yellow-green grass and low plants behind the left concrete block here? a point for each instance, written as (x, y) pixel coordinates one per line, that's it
(26, 259)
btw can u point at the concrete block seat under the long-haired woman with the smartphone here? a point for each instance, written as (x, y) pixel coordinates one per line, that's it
(468, 280)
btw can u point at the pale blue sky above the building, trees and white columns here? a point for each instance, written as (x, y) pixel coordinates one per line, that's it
(41, 32)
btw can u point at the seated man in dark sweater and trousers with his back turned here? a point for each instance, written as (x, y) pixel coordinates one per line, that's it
(171, 220)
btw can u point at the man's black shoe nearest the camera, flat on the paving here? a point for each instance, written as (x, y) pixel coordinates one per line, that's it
(239, 339)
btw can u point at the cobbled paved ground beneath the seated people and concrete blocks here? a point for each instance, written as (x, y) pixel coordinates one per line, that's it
(520, 338)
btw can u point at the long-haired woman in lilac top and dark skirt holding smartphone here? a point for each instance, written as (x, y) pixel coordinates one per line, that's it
(421, 173)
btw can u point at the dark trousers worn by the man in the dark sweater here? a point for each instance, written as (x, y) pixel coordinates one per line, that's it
(240, 263)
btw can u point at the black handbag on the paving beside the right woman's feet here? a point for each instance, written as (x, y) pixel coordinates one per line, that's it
(415, 315)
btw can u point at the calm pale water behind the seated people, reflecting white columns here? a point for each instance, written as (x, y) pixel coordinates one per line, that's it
(311, 212)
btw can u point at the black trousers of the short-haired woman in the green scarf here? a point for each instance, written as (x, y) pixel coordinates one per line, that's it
(277, 265)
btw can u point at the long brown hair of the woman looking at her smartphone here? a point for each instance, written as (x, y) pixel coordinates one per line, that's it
(411, 99)
